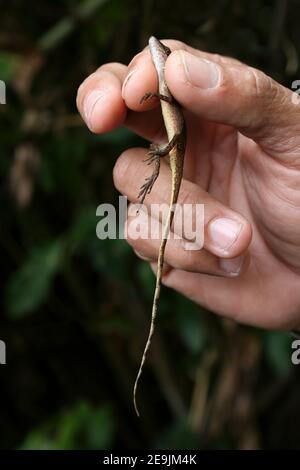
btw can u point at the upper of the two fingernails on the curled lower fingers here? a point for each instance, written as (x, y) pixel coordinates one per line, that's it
(224, 232)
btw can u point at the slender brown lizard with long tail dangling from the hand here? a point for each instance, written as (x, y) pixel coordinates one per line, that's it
(175, 148)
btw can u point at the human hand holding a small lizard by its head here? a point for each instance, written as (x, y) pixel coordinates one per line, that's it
(242, 163)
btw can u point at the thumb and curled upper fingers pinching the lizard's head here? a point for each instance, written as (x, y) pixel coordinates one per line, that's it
(214, 88)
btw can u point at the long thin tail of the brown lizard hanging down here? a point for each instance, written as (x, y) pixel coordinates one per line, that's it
(160, 263)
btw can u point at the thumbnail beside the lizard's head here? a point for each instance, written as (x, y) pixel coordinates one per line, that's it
(200, 72)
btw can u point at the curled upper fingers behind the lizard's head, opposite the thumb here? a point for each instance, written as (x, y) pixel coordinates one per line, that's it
(110, 97)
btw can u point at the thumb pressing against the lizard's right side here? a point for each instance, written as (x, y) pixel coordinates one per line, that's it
(232, 93)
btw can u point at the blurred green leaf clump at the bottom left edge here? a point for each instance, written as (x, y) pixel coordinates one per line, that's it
(82, 427)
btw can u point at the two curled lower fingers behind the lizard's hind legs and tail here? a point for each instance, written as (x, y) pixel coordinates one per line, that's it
(226, 233)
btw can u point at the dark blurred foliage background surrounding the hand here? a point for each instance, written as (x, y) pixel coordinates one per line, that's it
(74, 309)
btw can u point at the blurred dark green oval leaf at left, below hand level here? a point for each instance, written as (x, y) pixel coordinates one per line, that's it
(29, 286)
